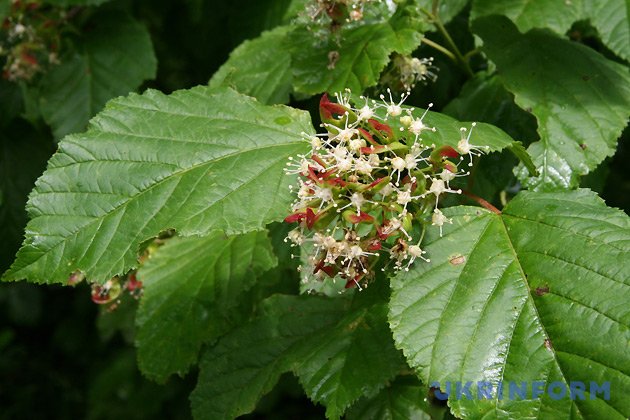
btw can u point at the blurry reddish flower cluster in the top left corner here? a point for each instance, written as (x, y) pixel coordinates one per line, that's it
(29, 39)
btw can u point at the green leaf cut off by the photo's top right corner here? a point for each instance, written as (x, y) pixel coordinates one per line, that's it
(610, 17)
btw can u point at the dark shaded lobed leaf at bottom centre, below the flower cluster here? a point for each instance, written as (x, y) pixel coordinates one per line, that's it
(340, 348)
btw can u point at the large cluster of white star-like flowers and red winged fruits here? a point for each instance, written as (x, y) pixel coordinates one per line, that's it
(369, 187)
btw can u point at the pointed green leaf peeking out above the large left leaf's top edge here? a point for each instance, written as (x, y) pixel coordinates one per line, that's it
(260, 68)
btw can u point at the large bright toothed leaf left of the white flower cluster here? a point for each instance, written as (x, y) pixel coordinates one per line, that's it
(195, 161)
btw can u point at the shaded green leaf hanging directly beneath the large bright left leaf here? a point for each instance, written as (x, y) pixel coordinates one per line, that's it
(189, 286)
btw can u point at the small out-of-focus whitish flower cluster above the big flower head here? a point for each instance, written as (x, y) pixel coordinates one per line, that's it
(404, 72)
